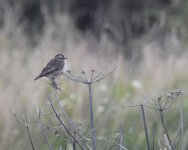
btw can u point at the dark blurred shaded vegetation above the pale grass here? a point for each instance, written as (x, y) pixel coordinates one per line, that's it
(121, 20)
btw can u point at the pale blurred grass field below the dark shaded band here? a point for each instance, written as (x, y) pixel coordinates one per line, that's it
(157, 67)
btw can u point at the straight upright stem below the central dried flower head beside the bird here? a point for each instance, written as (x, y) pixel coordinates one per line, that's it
(92, 119)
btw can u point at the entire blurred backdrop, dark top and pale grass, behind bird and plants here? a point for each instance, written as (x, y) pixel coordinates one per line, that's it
(148, 41)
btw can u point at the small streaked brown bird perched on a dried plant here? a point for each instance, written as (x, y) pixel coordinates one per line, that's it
(54, 68)
